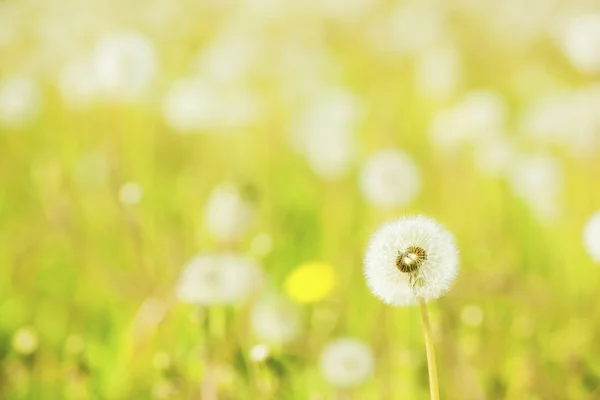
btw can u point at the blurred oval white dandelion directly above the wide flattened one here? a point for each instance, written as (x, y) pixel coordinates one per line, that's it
(227, 215)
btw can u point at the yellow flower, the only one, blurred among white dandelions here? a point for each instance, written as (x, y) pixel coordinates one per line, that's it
(310, 282)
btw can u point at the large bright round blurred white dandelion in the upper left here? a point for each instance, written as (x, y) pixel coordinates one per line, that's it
(125, 65)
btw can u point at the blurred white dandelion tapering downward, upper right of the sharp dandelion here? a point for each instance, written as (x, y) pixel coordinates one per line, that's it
(538, 180)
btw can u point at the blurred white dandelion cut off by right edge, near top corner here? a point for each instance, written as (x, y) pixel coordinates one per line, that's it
(579, 38)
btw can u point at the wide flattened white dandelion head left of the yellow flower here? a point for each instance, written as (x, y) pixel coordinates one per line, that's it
(223, 278)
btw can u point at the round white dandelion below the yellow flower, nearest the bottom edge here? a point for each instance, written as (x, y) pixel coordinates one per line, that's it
(346, 362)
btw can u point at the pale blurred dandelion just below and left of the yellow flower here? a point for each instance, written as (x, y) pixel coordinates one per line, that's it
(275, 320)
